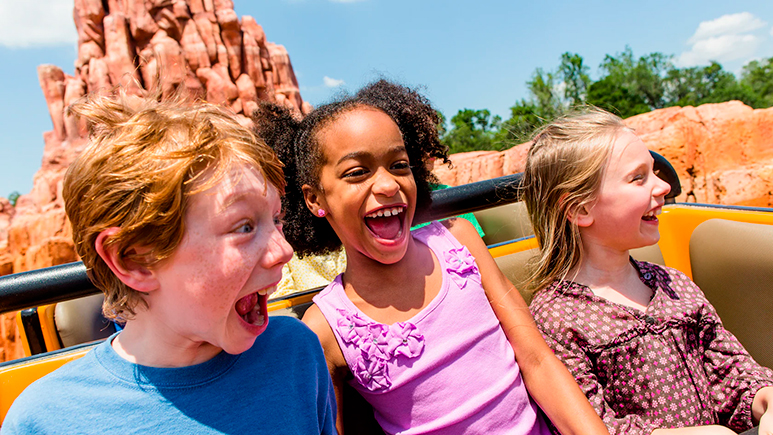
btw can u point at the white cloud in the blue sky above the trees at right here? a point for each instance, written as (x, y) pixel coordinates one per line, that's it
(727, 38)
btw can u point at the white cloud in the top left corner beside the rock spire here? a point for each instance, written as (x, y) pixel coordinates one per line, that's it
(38, 23)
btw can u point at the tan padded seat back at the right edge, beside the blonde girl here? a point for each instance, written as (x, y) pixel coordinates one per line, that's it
(732, 262)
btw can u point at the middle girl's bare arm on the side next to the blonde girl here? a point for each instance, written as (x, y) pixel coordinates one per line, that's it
(547, 380)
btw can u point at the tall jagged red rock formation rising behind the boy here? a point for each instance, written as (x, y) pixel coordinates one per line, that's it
(201, 44)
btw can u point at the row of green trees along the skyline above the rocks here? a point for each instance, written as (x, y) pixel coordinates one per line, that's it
(627, 86)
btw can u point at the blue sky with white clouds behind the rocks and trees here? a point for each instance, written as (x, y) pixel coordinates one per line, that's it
(465, 54)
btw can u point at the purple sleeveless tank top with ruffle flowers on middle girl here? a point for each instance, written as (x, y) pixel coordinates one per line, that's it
(447, 370)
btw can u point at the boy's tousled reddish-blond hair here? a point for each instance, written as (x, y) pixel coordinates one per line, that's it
(144, 160)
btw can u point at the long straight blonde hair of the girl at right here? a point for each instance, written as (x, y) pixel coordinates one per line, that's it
(564, 169)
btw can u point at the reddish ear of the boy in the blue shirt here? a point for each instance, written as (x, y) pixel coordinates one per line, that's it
(131, 273)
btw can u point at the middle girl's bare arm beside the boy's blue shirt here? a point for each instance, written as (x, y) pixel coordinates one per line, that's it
(335, 359)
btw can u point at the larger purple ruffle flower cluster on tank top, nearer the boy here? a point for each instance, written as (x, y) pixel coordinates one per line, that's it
(378, 344)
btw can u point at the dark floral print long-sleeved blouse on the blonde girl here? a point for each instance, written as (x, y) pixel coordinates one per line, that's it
(673, 365)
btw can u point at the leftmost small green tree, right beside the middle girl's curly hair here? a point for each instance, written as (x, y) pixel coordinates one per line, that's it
(472, 130)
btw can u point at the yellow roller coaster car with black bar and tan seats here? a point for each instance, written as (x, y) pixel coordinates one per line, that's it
(725, 249)
